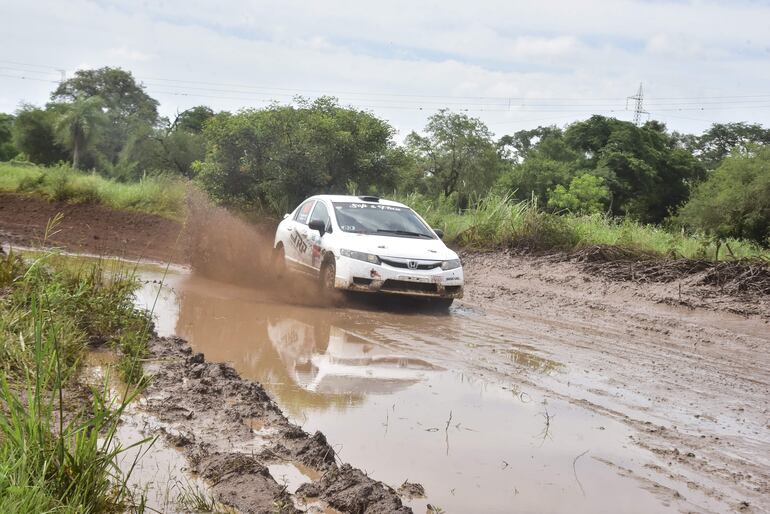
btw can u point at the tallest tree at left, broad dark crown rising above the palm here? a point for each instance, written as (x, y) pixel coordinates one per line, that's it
(126, 105)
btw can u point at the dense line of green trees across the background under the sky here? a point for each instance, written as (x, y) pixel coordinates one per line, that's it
(271, 158)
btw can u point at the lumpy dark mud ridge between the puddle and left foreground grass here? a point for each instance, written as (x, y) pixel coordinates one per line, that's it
(231, 432)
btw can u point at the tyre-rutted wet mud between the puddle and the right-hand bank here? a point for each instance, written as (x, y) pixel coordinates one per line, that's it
(664, 373)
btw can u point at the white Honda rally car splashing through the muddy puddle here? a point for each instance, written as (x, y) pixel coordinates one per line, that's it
(365, 243)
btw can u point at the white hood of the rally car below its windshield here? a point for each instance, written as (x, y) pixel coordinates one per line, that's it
(403, 247)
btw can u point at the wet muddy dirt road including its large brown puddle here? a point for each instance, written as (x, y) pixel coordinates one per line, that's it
(546, 389)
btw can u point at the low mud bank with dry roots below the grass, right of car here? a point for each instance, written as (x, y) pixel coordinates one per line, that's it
(732, 286)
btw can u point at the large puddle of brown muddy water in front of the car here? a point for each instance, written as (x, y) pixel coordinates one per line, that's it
(402, 396)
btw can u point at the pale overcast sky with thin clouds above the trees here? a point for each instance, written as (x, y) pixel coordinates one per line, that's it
(514, 64)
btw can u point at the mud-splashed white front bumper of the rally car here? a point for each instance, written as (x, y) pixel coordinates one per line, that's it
(355, 275)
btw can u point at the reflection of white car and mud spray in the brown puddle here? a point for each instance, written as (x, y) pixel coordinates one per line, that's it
(303, 358)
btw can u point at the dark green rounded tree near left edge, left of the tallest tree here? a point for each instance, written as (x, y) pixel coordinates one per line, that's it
(33, 135)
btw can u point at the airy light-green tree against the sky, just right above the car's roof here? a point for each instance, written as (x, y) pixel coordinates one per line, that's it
(457, 152)
